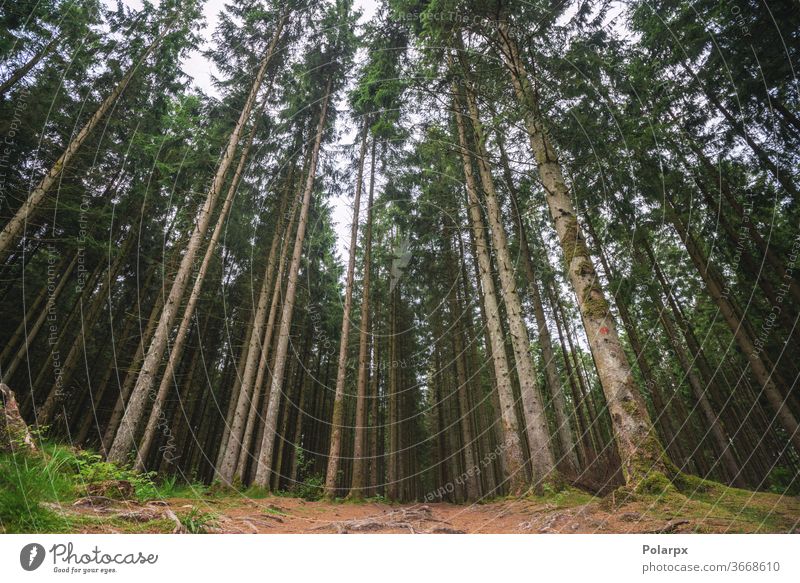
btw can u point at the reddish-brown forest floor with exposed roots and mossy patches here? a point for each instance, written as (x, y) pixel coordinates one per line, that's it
(718, 509)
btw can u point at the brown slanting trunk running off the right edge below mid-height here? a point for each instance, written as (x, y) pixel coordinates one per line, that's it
(739, 329)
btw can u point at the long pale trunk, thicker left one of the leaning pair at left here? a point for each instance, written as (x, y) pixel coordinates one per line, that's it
(126, 433)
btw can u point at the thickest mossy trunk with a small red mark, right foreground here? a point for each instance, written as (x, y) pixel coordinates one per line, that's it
(640, 451)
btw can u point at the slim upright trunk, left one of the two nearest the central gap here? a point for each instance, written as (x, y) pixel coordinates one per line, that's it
(338, 396)
